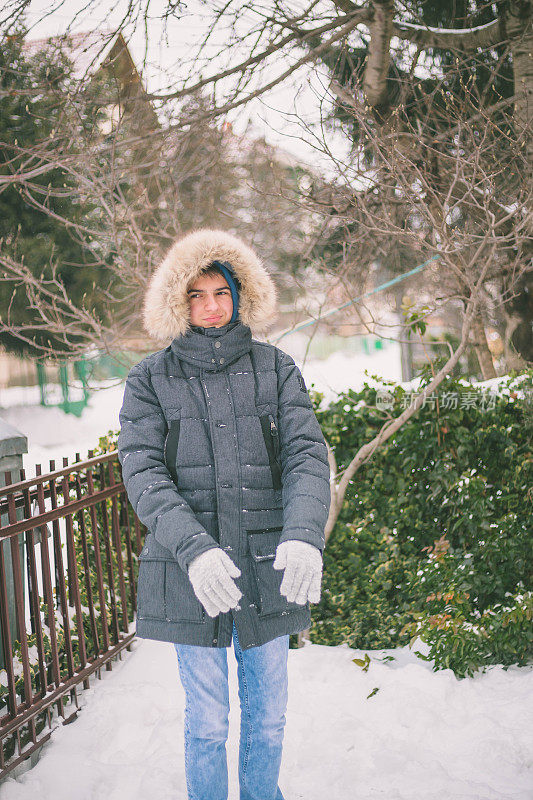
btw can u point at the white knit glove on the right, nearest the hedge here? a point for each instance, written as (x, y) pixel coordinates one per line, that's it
(303, 571)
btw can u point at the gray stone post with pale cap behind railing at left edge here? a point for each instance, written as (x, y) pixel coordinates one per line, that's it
(13, 444)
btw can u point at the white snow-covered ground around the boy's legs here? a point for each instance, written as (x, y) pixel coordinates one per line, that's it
(421, 736)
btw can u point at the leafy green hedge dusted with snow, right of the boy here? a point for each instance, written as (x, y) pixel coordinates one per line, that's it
(435, 536)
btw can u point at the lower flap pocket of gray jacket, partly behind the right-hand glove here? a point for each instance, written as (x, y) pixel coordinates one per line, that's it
(263, 544)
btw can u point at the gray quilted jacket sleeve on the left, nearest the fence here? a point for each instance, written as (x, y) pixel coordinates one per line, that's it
(149, 486)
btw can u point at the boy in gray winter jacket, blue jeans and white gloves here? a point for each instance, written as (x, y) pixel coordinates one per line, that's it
(224, 461)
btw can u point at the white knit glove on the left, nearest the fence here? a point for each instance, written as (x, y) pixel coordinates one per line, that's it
(211, 574)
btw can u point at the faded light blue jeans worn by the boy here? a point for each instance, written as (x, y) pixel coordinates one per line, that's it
(262, 675)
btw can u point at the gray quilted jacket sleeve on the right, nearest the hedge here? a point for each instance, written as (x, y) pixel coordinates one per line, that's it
(304, 459)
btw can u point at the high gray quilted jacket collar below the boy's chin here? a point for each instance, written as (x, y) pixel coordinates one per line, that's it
(213, 349)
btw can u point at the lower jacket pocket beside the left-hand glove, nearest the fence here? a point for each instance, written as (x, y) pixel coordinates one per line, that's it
(165, 593)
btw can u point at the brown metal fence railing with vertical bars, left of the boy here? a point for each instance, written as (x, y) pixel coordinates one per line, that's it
(69, 542)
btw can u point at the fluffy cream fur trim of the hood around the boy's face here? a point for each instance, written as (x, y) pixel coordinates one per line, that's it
(166, 306)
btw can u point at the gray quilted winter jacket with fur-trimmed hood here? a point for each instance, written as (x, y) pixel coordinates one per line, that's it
(220, 447)
